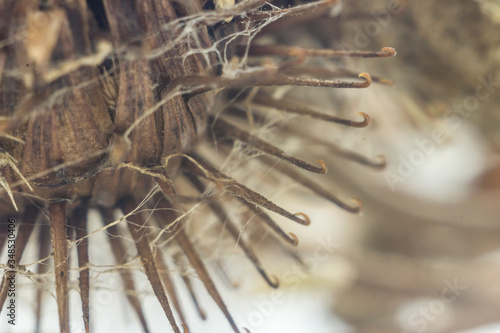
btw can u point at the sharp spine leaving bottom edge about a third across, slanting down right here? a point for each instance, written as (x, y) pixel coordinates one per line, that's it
(136, 226)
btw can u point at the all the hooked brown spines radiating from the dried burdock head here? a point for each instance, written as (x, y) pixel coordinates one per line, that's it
(198, 172)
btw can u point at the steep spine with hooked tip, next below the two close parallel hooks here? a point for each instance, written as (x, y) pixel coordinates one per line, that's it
(231, 228)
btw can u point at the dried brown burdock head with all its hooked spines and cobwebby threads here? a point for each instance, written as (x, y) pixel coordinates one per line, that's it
(110, 105)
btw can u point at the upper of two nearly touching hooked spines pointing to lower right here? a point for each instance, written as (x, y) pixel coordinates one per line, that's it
(238, 190)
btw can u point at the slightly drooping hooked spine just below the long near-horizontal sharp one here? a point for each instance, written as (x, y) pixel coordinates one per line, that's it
(291, 106)
